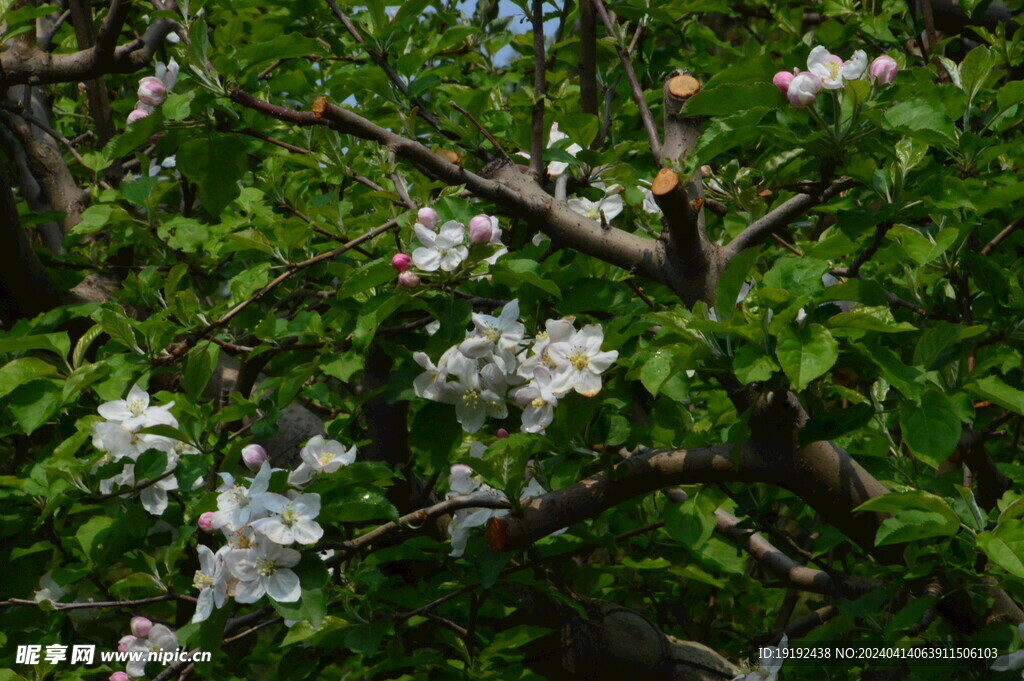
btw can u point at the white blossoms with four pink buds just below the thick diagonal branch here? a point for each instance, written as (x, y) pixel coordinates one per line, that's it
(445, 249)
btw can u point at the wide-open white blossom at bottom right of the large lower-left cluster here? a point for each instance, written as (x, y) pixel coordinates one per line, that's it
(265, 570)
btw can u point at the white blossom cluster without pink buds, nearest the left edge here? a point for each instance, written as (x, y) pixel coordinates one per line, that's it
(119, 438)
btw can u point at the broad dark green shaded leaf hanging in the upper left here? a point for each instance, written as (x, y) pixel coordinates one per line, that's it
(216, 164)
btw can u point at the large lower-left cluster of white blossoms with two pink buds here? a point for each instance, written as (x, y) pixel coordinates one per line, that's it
(260, 527)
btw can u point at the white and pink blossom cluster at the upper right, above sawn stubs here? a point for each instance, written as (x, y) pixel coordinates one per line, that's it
(830, 72)
